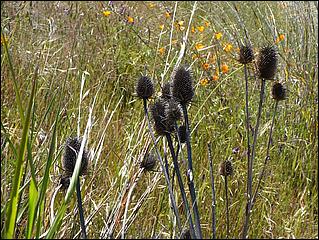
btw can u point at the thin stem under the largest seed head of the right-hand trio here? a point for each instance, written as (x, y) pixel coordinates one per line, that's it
(250, 173)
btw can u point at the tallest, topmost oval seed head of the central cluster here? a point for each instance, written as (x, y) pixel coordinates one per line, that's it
(182, 86)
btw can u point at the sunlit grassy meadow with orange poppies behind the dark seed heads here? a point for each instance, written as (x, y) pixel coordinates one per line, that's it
(70, 69)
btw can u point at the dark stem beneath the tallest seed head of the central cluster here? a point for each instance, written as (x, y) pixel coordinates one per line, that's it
(190, 174)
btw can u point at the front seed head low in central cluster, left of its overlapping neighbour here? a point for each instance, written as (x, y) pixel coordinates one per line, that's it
(161, 125)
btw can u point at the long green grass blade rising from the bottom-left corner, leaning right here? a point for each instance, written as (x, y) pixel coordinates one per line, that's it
(14, 195)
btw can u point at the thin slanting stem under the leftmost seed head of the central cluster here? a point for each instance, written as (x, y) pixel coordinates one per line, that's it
(173, 202)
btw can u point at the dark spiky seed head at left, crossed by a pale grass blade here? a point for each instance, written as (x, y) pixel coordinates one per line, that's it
(71, 150)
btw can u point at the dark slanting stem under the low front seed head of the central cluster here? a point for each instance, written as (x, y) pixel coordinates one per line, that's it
(181, 185)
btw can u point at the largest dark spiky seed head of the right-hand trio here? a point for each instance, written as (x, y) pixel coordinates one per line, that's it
(267, 62)
